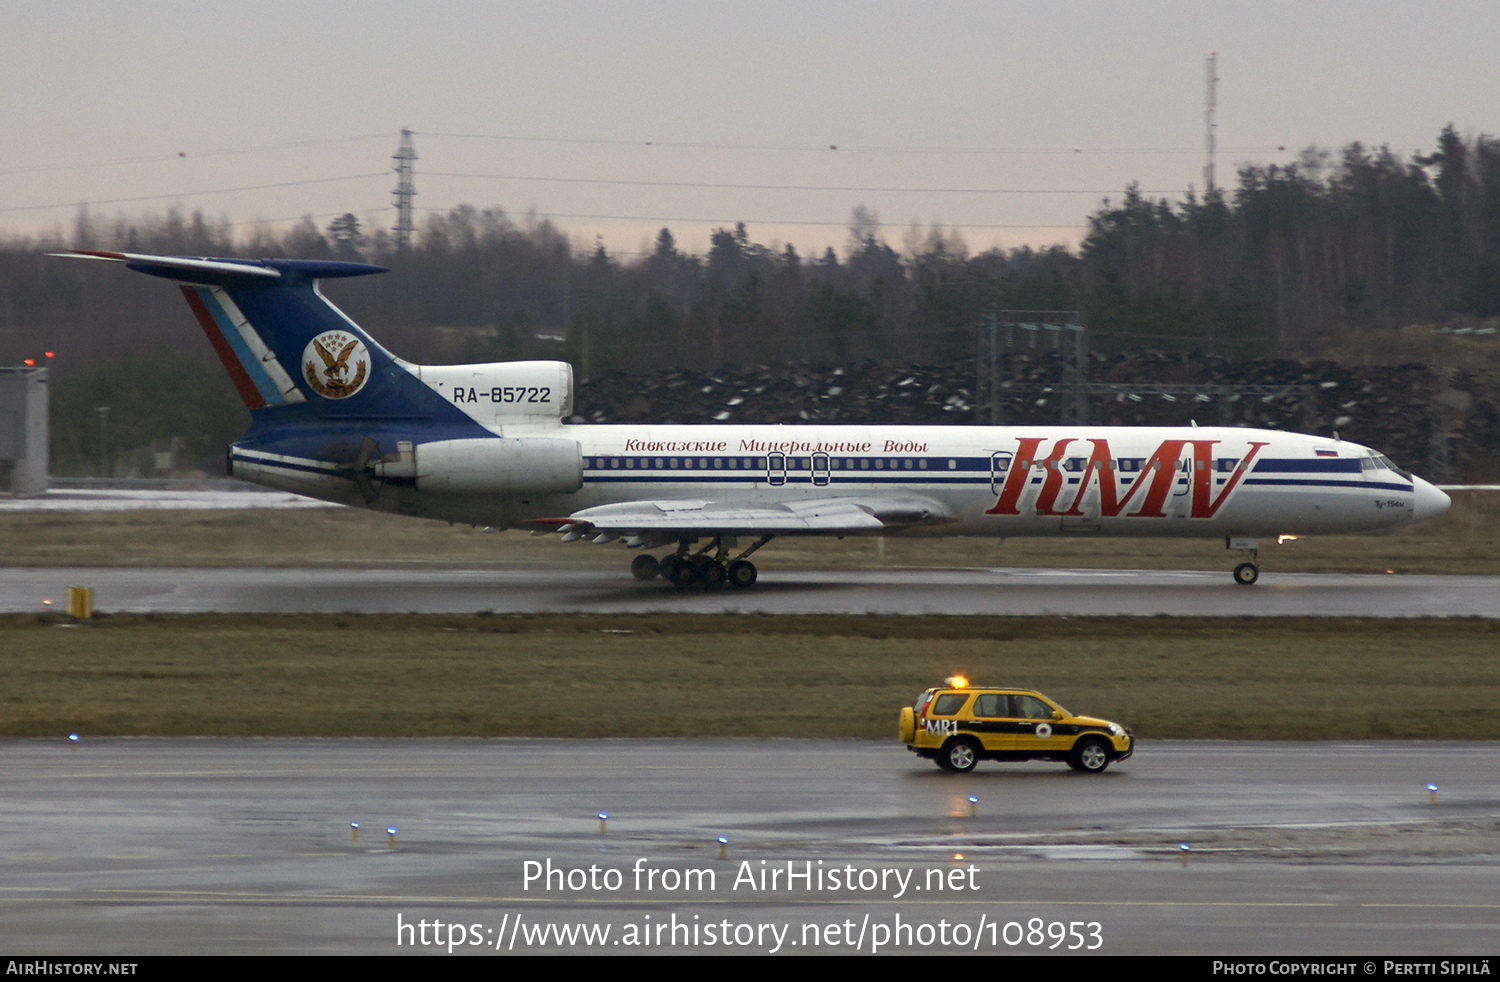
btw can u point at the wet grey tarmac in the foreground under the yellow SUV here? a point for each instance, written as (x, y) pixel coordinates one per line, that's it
(218, 846)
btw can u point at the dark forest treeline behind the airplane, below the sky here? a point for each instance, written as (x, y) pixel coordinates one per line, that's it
(1333, 244)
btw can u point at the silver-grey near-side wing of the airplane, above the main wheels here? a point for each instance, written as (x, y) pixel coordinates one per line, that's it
(691, 518)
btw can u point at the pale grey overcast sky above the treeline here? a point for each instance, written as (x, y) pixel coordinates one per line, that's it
(1007, 121)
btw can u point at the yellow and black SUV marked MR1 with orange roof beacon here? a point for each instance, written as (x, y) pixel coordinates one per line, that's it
(959, 725)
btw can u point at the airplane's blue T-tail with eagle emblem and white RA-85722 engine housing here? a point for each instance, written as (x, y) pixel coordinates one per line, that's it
(334, 413)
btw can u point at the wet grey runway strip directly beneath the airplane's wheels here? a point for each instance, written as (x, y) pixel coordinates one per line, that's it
(1003, 591)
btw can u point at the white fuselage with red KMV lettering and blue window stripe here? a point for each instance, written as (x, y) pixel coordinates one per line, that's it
(970, 481)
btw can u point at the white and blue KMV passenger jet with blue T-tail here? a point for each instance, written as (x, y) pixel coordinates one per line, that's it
(338, 418)
